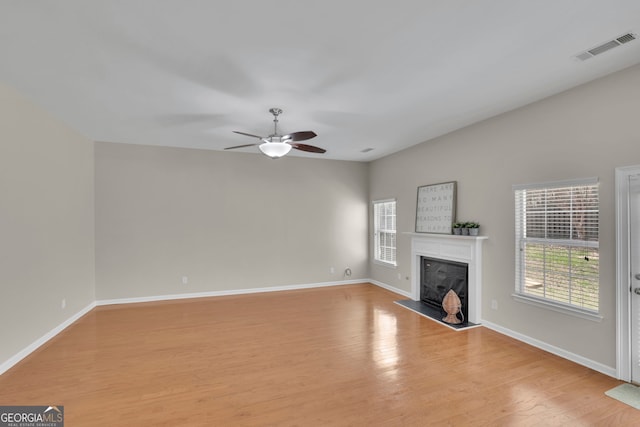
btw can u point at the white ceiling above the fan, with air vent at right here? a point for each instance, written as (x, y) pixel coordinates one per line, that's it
(360, 73)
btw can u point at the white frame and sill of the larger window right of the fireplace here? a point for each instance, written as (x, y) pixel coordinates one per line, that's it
(570, 243)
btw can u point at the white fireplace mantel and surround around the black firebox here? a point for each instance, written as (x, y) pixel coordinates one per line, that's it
(467, 249)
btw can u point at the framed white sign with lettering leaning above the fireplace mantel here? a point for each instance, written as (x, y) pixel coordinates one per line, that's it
(436, 208)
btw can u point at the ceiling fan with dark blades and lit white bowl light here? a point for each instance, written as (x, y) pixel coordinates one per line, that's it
(276, 145)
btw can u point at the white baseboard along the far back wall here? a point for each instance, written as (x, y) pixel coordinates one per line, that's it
(226, 292)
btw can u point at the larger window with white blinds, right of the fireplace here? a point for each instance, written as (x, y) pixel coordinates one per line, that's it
(557, 258)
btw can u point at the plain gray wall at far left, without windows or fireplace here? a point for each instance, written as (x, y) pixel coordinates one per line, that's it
(46, 223)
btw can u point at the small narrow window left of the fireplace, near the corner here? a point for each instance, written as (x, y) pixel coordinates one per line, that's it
(384, 231)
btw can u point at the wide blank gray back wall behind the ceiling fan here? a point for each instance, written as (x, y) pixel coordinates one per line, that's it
(226, 220)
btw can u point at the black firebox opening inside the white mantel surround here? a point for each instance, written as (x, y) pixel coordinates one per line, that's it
(439, 276)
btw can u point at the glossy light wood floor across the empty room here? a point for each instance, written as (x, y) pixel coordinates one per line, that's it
(343, 356)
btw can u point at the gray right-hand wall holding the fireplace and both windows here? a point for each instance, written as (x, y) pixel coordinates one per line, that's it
(584, 132)
